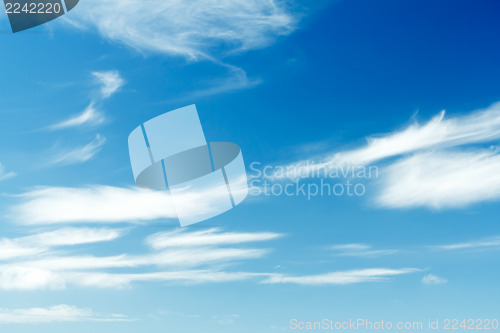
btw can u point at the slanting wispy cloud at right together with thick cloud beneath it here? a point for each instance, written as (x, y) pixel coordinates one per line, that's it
(439, 164)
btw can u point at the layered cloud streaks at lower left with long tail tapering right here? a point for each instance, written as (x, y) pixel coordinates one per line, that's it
(45, 261)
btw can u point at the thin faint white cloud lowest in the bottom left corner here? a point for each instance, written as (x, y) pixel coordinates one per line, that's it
(58, 313)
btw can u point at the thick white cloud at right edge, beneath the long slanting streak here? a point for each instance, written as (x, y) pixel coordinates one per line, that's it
(441, 180)
